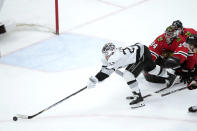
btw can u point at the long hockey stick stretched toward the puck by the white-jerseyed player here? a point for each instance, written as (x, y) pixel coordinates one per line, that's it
(15, 118)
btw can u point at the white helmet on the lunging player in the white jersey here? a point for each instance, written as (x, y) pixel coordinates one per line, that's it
(108, 50)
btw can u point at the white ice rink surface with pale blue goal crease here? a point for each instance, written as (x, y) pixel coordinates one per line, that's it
(26, 89)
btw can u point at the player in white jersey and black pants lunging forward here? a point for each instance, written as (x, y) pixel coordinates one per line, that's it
(134, 59)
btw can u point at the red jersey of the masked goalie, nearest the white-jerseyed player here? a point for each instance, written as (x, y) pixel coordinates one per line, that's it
(159, 46)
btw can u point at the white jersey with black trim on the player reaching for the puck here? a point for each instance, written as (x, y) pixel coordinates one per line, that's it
(121, 58)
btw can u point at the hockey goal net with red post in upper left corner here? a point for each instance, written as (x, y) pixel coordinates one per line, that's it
(35, 15)
